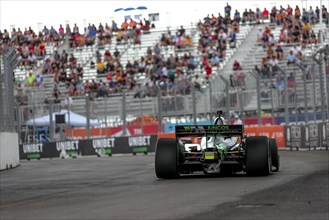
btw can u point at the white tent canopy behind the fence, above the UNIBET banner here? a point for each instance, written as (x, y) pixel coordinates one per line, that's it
(71, 118)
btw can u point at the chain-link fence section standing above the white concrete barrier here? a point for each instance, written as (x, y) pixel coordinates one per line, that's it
(7, 101)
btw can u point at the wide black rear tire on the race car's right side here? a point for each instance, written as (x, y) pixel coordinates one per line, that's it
(258, 160)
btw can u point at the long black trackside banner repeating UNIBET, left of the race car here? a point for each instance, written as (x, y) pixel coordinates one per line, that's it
(98, 146)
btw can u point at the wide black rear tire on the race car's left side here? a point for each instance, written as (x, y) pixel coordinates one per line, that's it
(167, 159)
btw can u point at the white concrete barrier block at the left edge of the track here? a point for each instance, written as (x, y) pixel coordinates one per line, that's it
(9, 156)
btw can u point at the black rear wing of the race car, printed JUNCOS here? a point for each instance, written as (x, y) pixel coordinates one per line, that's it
(209, 130)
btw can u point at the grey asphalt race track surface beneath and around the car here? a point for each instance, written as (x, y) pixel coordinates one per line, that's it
(125, 187)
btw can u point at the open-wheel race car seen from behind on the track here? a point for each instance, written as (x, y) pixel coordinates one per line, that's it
(217, 149)
